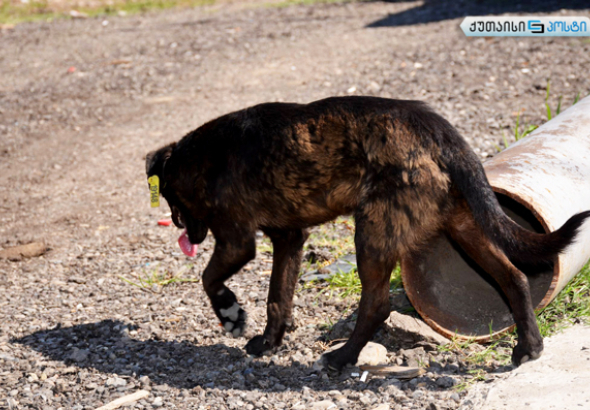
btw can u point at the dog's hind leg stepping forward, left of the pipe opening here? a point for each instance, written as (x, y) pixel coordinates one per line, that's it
(376, 259)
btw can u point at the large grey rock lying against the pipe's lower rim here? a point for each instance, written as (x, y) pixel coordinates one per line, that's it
(408, 329)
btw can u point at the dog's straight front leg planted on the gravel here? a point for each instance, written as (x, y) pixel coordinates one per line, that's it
(287, 253)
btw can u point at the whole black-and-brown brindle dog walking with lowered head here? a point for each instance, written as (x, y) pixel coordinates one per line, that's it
(401, 170)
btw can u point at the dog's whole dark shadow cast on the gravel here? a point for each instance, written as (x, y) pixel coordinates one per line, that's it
(111, 347)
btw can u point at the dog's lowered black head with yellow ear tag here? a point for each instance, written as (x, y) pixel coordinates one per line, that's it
(161, 163)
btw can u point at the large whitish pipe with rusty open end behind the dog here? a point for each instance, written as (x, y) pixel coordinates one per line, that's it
(540, 181)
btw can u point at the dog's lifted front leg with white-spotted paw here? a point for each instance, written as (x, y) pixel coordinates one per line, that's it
(231, 253)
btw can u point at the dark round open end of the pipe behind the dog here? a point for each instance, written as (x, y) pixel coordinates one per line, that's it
(448, 288)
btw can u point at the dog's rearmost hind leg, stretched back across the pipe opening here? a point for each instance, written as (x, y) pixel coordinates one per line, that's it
(512, 281)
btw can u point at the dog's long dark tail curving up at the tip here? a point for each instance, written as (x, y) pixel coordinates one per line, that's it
(523, 247)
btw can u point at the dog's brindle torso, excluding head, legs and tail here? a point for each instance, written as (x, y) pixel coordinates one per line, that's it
(290, 165)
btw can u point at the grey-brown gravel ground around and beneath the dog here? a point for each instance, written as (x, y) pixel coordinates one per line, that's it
(82, 101)
